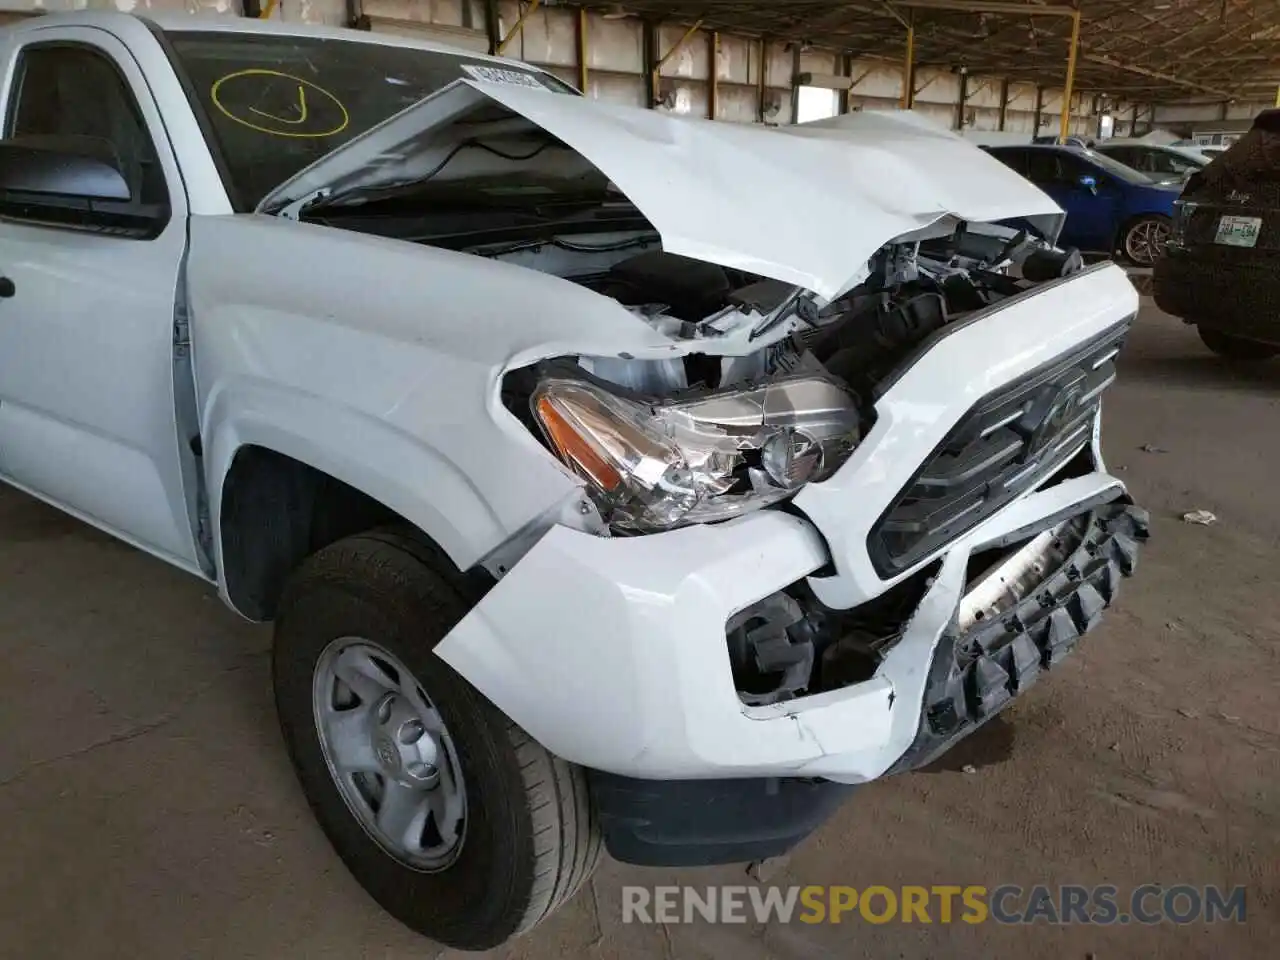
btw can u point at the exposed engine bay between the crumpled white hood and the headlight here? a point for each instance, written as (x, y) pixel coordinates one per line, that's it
(912, 291)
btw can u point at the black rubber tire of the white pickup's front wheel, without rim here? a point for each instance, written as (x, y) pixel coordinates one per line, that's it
(531, 838)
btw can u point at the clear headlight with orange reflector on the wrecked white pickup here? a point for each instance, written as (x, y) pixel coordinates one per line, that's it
(656, 467)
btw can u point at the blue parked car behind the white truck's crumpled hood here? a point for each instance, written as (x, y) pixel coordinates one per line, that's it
(1110, 208)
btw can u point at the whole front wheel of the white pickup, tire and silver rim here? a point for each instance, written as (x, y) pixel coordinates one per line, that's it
(458, 822)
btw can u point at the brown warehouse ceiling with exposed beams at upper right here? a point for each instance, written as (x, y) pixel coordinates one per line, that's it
(1136, 49)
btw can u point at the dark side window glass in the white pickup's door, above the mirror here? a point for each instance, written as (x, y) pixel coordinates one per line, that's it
(72, 98)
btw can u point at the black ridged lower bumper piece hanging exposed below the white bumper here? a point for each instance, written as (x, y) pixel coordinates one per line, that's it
(1004, 656)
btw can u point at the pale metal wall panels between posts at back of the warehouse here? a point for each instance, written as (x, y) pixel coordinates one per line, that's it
(616, 62)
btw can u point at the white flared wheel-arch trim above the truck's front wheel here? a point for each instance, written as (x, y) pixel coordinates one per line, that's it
(399, 470)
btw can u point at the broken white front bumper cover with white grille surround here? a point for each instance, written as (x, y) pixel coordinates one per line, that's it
(612, 652)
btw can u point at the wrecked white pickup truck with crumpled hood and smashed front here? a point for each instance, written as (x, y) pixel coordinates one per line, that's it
(611, 478)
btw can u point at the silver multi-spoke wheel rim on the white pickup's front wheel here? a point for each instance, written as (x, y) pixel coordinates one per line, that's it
(390, 753)
